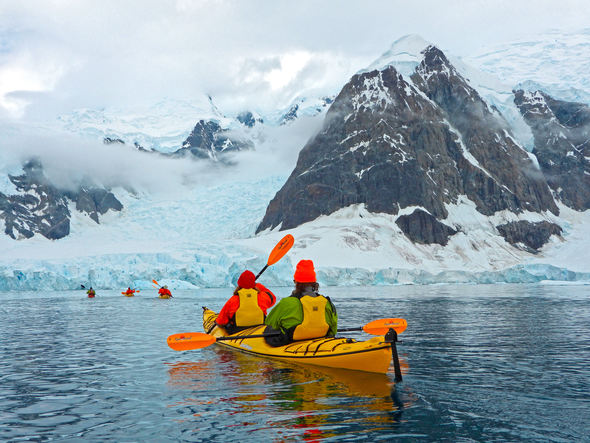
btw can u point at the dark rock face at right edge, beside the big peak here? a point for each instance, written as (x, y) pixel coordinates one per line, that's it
(562, 144)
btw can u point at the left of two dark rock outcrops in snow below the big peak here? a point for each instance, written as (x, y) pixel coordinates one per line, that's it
(421, 227)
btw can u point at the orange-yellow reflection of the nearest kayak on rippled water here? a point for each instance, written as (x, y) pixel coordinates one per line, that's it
(306, 402)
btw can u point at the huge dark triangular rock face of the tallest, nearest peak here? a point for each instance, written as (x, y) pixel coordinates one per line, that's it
(389, 142)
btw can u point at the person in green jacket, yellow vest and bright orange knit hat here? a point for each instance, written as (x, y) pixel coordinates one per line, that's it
(304, 314)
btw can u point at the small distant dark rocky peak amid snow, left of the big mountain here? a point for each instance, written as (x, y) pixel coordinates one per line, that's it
(209, 140)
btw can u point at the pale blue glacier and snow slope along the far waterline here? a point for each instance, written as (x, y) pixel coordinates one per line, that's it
(205, 238)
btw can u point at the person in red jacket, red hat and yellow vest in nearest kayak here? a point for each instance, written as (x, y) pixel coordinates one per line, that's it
(247, 306)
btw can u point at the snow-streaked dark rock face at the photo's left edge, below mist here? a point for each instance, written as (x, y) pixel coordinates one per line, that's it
(39, 207)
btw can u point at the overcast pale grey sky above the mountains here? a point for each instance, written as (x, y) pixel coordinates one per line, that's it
(58, 55)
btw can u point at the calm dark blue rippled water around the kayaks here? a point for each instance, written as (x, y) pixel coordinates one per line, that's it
(480, 363)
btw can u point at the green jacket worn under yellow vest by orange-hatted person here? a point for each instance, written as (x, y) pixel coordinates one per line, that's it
(288, 313)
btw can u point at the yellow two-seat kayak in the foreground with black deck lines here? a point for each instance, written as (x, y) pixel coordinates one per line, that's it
(373, 355)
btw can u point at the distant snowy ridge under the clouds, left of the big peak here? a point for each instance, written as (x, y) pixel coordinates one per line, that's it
(167, 125)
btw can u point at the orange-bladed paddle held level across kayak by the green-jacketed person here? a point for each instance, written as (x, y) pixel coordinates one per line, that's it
(196, 340)
